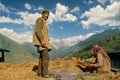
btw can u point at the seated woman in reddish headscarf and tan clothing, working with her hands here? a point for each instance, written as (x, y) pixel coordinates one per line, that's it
(102, 63)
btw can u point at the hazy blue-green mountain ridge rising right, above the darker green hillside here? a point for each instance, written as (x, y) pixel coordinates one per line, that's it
(90, 41)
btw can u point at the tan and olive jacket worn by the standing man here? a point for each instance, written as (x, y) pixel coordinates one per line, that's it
(41, 34)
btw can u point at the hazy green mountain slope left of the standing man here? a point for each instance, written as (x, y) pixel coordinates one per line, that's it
(18, 52)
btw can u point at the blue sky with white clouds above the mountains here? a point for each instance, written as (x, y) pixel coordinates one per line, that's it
(70, 21)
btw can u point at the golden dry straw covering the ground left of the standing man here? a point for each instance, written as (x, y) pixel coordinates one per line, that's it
(22, 71)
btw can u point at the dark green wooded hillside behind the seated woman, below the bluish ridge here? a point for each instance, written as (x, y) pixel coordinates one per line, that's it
(109, 44)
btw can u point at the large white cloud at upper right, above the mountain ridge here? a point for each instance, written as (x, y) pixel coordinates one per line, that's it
(98, 15)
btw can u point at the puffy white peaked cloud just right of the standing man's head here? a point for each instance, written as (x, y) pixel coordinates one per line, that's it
(61, 14)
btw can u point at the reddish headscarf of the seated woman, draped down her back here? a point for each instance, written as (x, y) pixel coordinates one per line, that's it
(98, 49)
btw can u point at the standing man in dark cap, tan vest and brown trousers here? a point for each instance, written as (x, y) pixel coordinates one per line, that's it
(41, 41)
